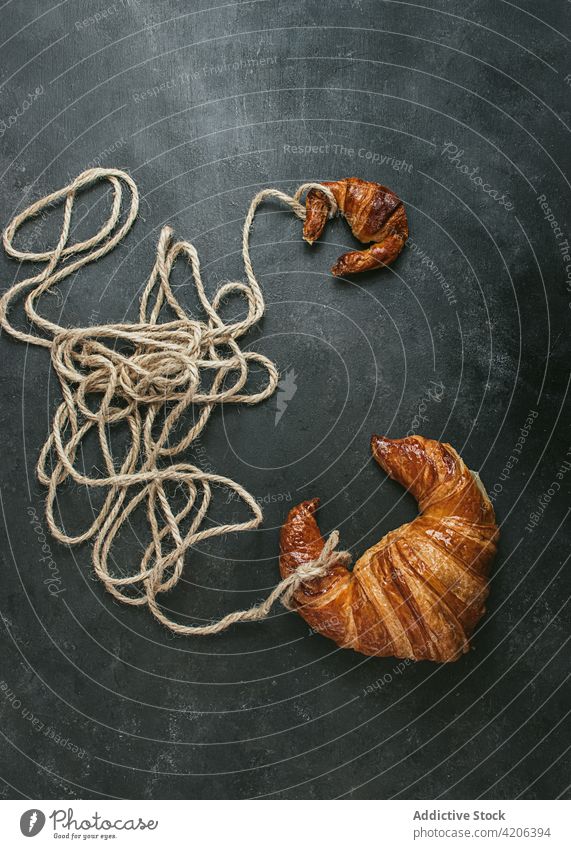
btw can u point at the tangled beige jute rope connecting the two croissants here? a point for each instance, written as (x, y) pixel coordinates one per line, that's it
(148, 388)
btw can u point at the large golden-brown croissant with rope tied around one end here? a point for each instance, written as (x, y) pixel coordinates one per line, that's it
(420, 591)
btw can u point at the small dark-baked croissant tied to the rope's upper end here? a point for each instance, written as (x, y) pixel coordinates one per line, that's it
(374, 213)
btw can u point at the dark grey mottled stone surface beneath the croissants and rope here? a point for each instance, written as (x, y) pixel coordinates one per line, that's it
(270, 710)
